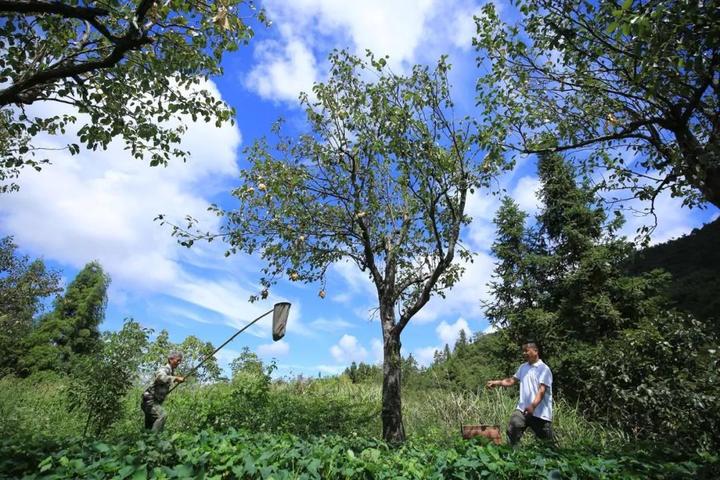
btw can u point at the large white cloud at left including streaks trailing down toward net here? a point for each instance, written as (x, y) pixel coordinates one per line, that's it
(101, 205)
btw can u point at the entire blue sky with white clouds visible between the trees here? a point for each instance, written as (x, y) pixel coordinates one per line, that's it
(101, 205)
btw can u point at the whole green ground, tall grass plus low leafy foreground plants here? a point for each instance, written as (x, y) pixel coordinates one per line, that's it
(319, 429)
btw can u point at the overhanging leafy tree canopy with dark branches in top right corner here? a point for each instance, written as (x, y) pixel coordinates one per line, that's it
(635, 83)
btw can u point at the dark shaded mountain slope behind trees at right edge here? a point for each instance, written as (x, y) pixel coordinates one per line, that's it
(694, 263)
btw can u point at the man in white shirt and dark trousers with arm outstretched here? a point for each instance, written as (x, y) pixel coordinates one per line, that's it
(534, 409)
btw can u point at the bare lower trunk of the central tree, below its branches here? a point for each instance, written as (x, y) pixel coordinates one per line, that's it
(393, 429)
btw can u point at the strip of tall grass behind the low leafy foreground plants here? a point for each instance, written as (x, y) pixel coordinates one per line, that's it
(37, 408)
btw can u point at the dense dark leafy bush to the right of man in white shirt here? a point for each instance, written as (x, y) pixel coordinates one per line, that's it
(655, 380)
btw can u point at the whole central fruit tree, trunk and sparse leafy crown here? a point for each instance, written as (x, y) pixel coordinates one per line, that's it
(379, 179)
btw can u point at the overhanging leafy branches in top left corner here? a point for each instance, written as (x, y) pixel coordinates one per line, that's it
(128, 68)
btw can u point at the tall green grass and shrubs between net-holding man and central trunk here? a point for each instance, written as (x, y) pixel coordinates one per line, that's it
(252, 402)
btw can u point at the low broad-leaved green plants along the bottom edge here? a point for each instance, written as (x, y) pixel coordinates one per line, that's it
(244, 455)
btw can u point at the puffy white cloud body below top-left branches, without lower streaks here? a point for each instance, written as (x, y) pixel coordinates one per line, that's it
(101, 205)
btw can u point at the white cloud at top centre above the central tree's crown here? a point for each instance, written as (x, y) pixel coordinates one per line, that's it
(408, 31)
